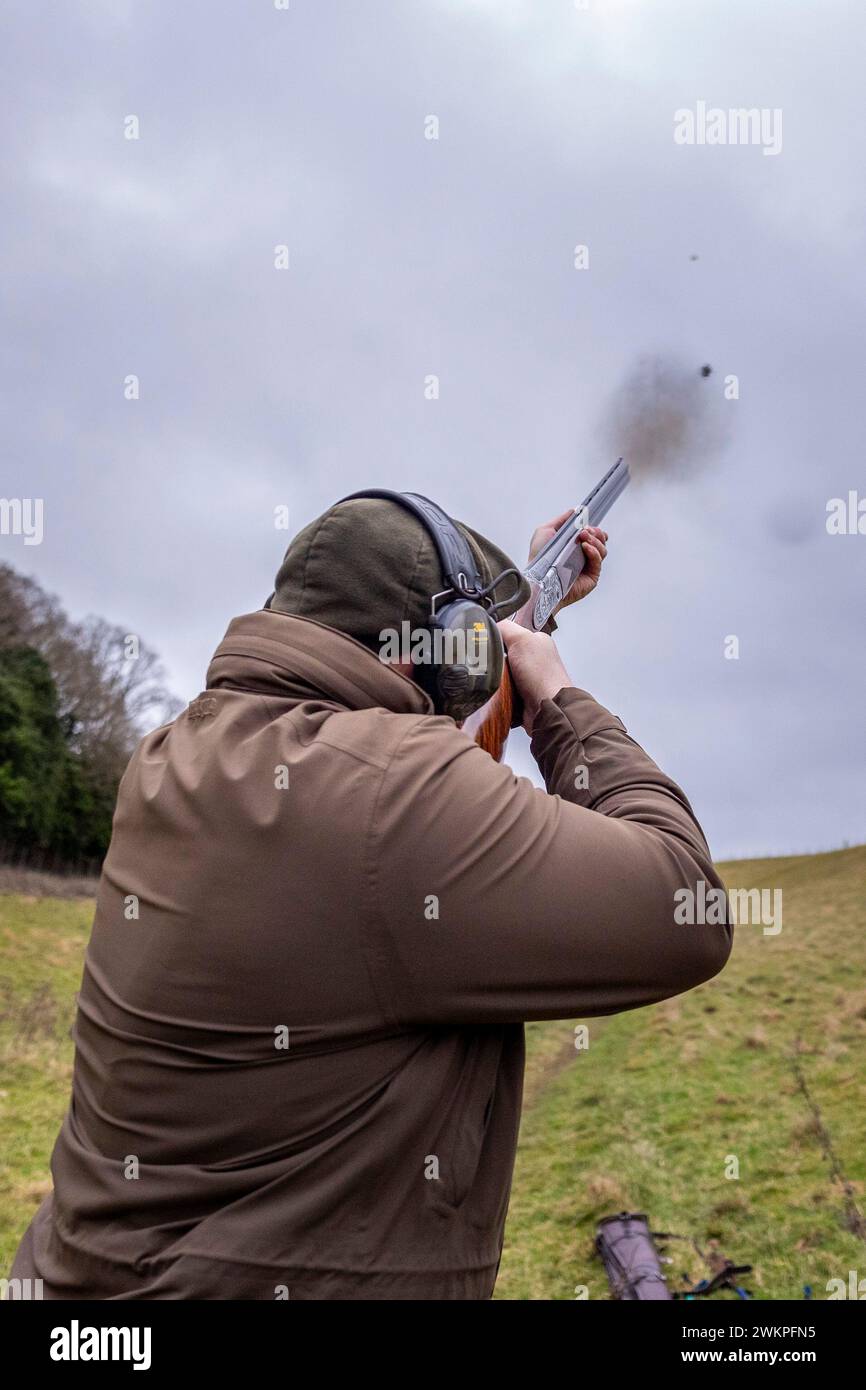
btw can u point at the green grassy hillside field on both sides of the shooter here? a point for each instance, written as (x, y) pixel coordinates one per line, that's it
(765, 1067)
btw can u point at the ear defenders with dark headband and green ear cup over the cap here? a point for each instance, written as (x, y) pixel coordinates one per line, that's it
(465, 654)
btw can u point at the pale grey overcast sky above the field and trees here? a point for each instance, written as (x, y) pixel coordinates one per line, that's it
(455, 256)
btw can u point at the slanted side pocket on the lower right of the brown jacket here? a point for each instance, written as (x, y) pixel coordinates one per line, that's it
(461, 1139)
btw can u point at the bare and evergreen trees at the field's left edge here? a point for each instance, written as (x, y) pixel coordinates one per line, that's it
(74, 701)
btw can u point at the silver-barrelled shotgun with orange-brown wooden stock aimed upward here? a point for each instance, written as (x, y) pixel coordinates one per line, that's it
(551, 575)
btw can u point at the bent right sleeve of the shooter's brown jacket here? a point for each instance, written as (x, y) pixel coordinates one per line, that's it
(494, 901)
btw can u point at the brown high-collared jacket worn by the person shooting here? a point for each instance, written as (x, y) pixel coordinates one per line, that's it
(309, 856)
